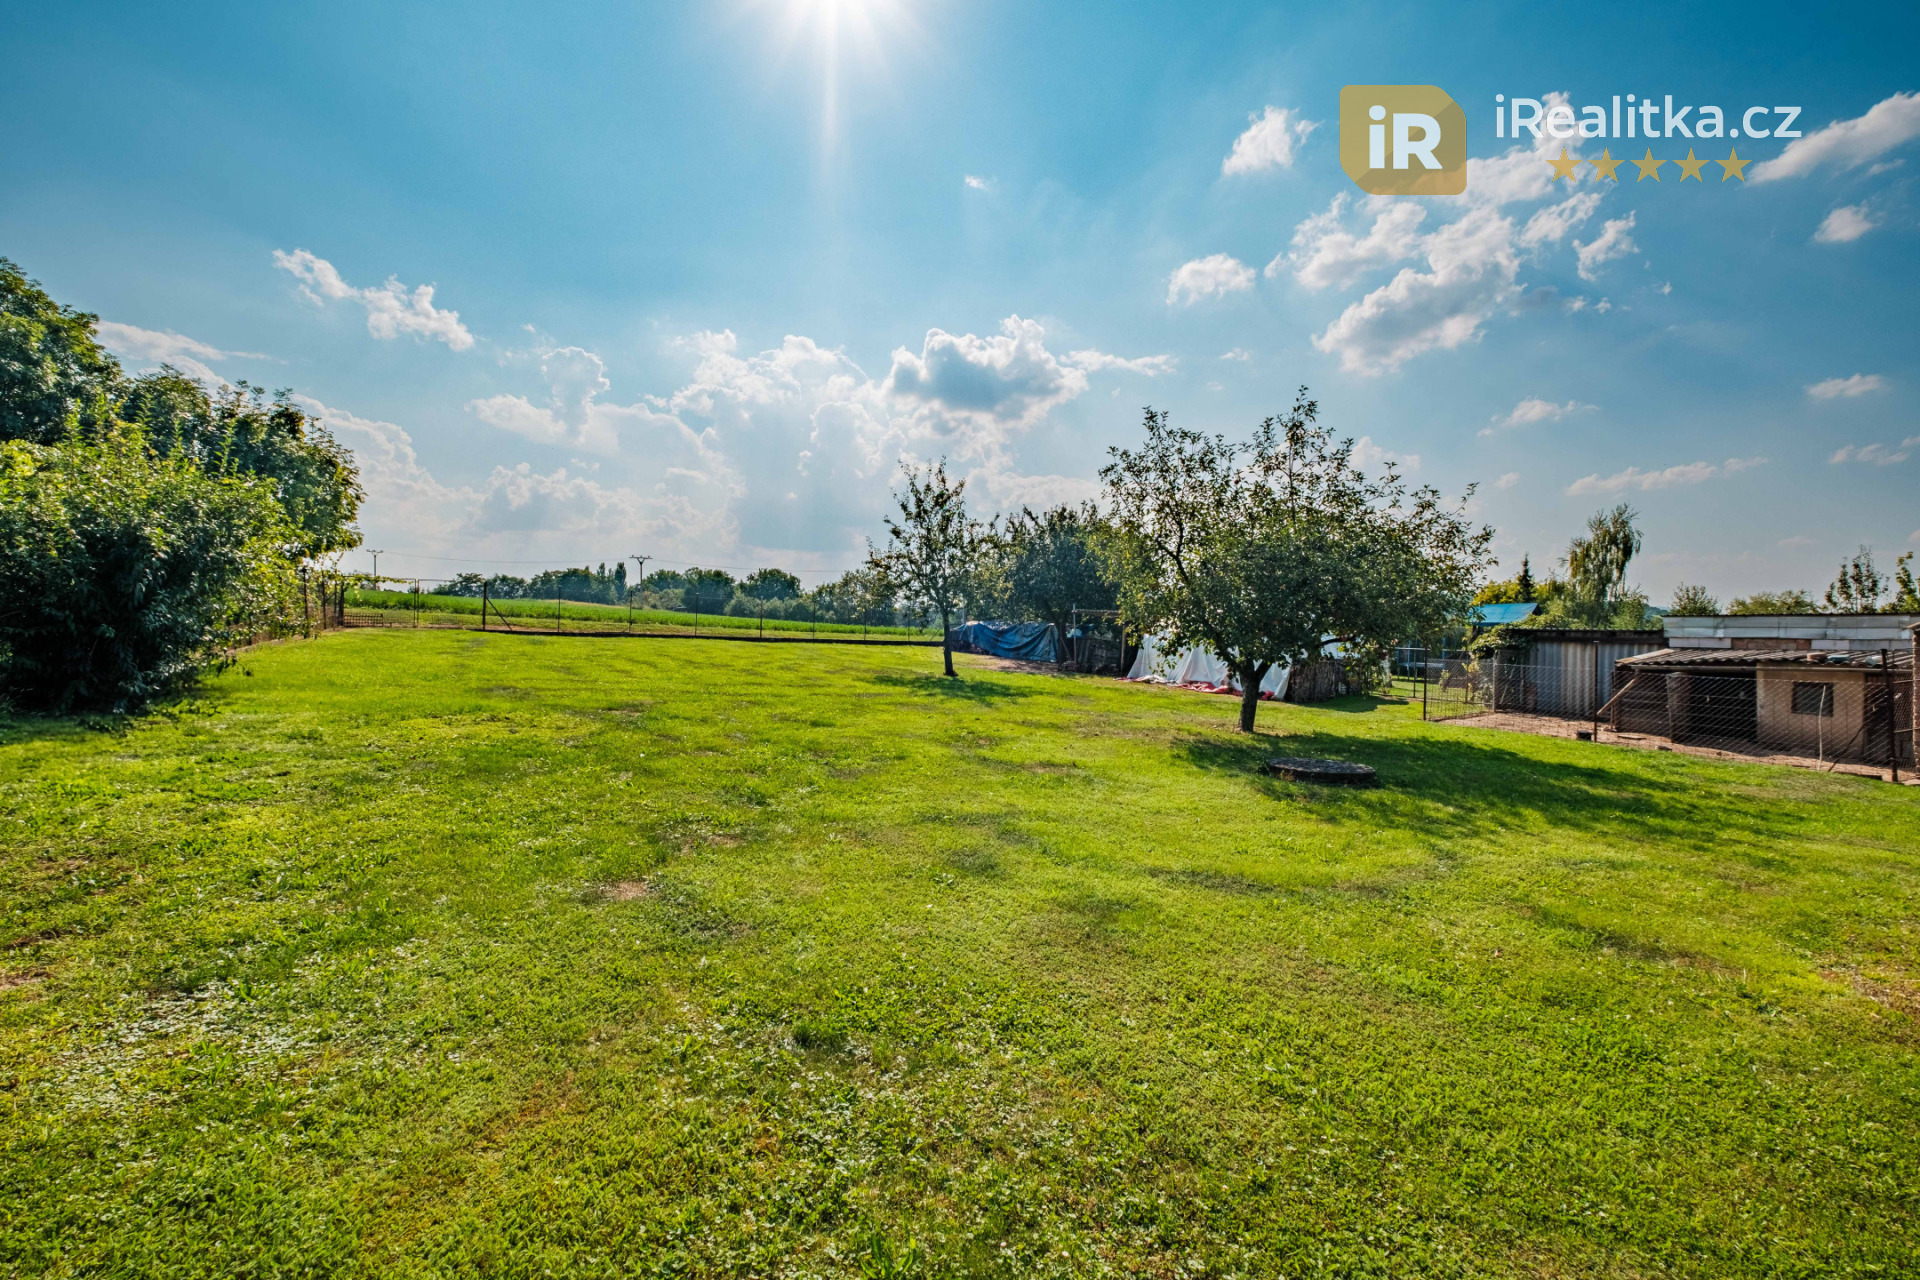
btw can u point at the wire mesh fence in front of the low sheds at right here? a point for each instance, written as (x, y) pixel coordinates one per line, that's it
(1842, 717)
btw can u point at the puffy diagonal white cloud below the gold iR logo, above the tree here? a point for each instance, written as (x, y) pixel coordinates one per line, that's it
(1474, 272)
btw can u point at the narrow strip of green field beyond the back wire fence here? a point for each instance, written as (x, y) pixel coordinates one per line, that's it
(464, 611)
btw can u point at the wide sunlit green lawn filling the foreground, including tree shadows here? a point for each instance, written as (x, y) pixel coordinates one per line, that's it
(433, 953)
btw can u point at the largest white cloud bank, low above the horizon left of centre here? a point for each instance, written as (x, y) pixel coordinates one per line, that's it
(784, 454)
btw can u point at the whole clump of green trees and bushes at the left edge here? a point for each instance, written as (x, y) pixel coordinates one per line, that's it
(147, 523)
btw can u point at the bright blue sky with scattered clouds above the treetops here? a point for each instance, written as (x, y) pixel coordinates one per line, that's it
(704, 273)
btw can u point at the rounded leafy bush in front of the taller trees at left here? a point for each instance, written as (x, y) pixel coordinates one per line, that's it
(126, 575)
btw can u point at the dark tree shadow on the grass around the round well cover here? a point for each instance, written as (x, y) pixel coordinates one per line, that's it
(1468, 790)
